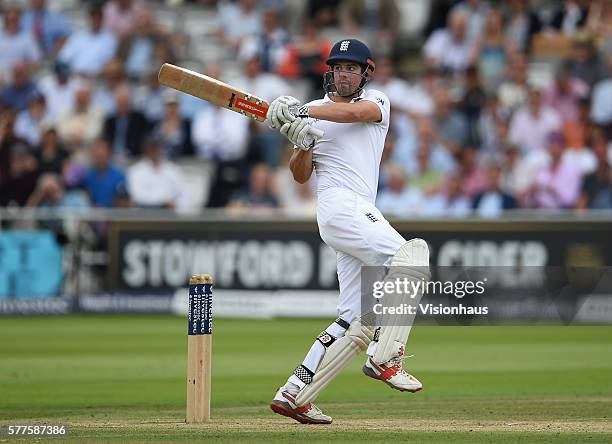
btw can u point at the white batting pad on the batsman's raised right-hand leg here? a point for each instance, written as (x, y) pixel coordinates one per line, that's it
(410, 262)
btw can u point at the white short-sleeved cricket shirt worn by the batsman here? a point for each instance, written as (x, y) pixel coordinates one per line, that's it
(348, 155)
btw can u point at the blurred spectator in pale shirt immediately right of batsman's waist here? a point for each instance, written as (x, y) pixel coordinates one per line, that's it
(397, 198)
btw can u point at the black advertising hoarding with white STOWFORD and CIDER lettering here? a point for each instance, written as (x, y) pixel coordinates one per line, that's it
(282, 254)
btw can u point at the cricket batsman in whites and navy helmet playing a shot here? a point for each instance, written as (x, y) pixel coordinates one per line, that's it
(347, 159)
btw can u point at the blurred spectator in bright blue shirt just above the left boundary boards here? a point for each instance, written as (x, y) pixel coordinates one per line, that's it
(103, 180)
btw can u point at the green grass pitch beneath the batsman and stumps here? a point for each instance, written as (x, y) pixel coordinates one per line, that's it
(122, 378)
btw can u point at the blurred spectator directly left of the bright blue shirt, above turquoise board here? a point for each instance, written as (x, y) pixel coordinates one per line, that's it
(51, 193)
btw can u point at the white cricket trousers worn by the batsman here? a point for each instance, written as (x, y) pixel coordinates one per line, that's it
(360, 235)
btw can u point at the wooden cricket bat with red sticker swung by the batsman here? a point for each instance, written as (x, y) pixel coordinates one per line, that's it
(219, 93)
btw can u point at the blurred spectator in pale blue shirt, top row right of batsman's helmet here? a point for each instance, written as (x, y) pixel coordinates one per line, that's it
(450, 48)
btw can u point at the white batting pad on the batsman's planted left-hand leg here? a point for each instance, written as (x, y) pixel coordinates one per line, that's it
(337, 357)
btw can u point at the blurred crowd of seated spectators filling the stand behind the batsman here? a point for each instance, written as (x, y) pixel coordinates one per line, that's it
(504, 105)
